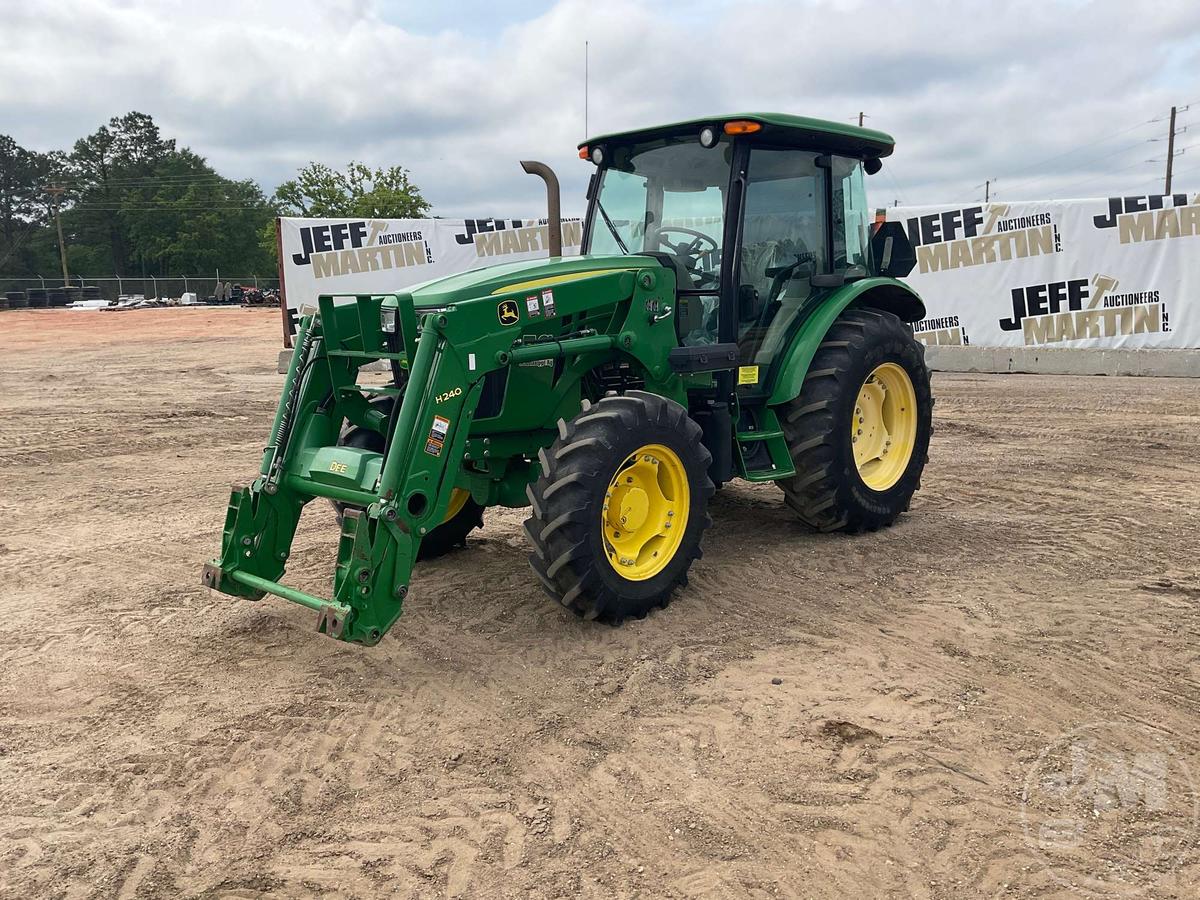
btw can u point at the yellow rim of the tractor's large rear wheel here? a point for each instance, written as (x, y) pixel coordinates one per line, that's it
(884, 431)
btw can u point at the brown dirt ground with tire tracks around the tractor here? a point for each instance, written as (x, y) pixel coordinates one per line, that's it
(947, 691)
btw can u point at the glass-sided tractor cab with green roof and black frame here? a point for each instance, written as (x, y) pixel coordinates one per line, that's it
(757, 214)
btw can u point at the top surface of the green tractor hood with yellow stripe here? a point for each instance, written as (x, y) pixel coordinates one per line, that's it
(531, 275)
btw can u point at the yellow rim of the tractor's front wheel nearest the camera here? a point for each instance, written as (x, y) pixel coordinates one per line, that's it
(645, 512)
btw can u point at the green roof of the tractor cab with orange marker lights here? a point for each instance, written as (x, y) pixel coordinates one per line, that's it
(777, 129)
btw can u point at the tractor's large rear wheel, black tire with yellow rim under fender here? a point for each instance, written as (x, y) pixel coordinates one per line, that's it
(832, 490)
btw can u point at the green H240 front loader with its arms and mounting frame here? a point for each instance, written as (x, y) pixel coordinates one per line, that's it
(406, 493)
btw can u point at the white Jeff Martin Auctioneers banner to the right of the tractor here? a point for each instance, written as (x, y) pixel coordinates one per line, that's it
(1123, 272)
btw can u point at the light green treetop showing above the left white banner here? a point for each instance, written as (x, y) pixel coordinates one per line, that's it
(361, 193)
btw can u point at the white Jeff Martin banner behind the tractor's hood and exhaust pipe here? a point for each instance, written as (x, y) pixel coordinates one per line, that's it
(364, 256)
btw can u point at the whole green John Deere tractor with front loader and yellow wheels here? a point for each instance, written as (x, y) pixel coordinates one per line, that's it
(733, 315)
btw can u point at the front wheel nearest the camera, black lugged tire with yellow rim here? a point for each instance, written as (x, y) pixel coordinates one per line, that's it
(635, 459)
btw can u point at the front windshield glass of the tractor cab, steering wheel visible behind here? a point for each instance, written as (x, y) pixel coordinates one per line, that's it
(667, 196)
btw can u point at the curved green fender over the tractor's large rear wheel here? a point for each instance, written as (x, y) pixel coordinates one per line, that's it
(887, 295)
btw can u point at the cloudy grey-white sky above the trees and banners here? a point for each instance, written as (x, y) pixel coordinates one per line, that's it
(1046, 100)
